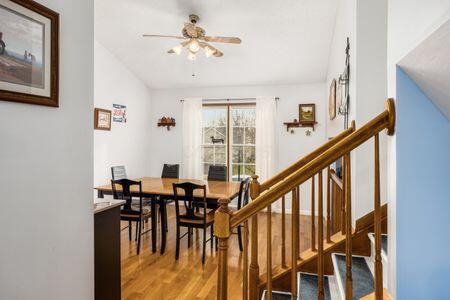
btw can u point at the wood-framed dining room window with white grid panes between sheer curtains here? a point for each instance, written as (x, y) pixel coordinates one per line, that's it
(229, 139)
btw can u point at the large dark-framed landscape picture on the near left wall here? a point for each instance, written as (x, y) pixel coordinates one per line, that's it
(29, 53)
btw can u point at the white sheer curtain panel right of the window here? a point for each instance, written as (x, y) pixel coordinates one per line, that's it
(266, 146)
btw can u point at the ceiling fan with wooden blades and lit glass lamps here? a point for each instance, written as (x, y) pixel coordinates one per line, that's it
(194, 39)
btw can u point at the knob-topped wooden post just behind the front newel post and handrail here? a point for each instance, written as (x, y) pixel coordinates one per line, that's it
(254, 266)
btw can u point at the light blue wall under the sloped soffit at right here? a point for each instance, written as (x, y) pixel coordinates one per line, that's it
(423, 195)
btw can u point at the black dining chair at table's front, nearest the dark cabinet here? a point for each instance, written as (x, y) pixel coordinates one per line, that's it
(131, 211)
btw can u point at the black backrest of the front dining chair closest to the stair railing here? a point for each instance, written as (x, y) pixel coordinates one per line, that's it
(191, 202)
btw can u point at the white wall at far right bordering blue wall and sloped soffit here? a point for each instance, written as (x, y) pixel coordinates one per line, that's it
(409, 23)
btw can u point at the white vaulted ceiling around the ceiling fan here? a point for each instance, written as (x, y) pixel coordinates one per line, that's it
(283, 41)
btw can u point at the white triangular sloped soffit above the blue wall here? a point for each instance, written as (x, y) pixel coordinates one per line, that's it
(429, 66)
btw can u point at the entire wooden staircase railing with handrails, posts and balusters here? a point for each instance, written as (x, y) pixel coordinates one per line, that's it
(289, 181)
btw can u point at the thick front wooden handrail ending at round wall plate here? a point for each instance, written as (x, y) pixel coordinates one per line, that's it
(385, 120)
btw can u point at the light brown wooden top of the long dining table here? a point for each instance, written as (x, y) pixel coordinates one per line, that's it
(163, 186)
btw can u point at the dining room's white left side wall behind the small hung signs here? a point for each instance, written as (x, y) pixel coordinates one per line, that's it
(127, 143)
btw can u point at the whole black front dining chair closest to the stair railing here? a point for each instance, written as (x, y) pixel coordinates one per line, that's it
(190, 217)
